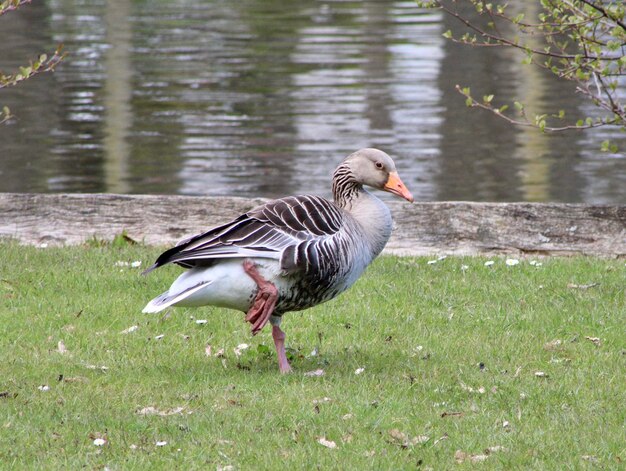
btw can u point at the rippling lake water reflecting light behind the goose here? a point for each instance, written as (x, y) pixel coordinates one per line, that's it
(264, 98)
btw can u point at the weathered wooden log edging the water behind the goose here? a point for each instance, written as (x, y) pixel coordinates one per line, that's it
(421, 228)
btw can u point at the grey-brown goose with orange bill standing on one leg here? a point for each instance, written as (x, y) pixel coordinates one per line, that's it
(290, 253)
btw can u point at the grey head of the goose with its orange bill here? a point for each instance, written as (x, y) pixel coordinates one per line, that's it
(374, 168)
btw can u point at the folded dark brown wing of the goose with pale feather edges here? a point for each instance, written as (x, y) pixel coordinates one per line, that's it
(288, 229)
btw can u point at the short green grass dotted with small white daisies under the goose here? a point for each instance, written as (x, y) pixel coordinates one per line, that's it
(449, 353)
